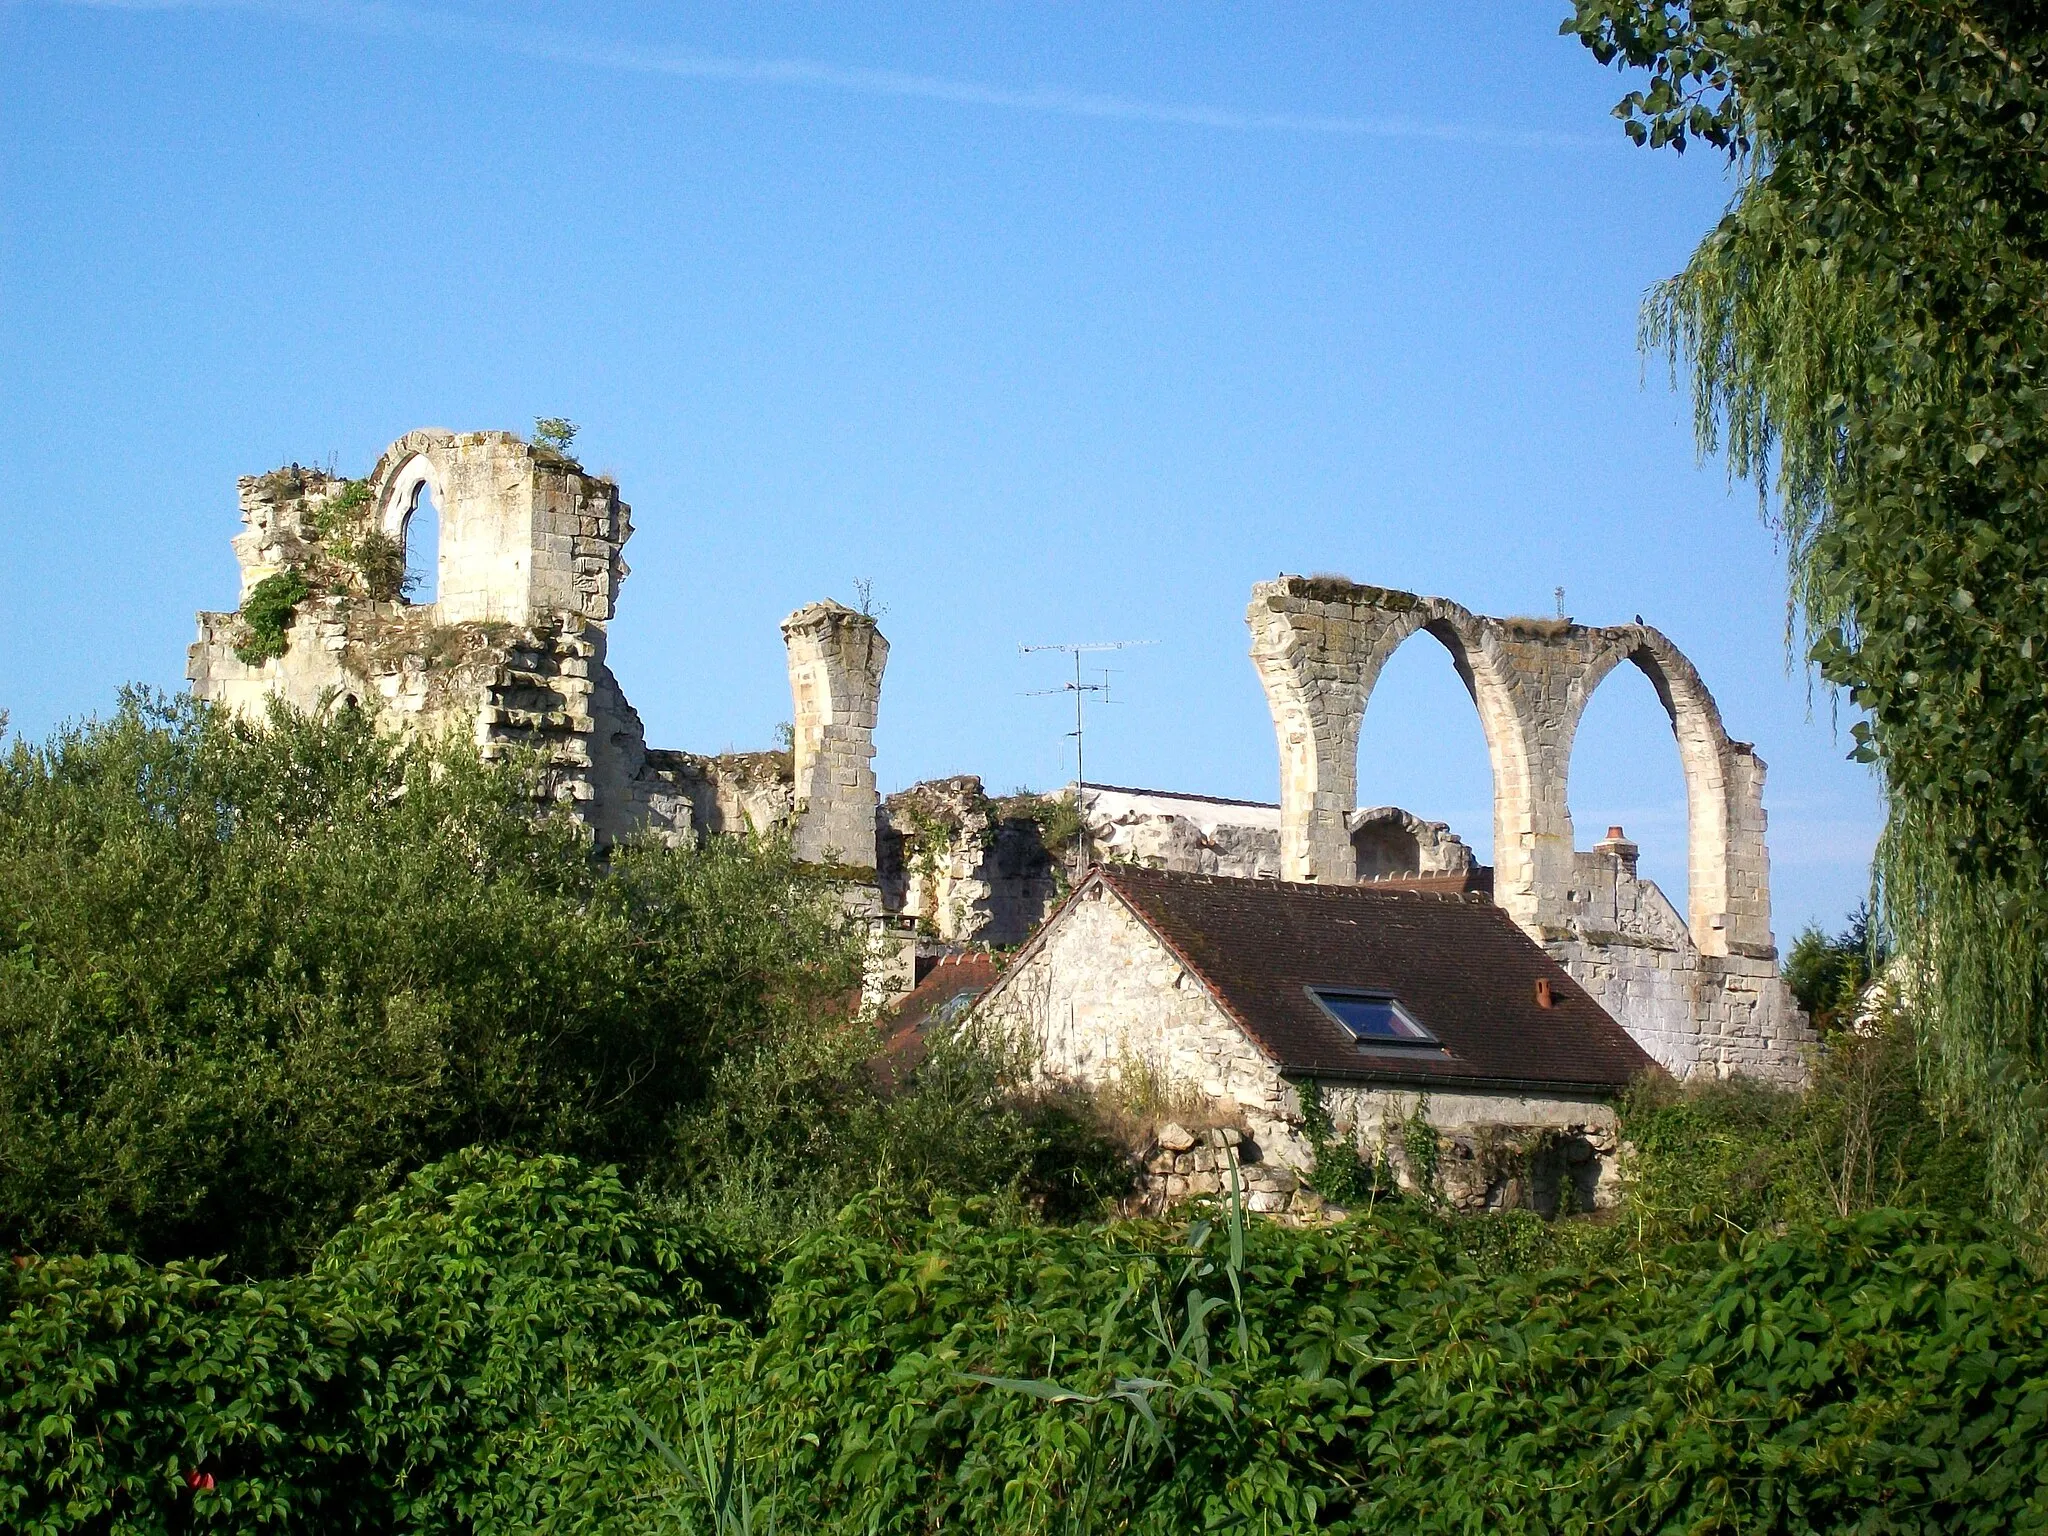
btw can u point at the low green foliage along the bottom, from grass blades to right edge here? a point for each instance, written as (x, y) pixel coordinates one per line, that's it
(1388, 1381)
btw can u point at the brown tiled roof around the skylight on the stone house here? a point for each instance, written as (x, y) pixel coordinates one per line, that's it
(1455, 962)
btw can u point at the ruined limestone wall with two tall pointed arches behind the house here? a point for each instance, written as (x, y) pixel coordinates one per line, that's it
(1703, 998)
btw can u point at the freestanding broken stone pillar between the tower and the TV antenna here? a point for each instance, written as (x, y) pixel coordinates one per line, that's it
(837, 660)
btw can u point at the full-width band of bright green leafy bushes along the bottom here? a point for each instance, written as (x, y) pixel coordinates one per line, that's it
(513, 1347)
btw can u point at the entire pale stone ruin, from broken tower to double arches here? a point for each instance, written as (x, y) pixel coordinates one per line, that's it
(513, 656)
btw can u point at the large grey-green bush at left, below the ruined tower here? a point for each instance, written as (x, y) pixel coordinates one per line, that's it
(249, 978)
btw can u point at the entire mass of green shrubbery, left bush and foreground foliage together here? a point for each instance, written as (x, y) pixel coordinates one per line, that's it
(253, 978)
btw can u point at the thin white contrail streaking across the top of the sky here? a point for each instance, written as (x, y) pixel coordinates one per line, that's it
(376, 17)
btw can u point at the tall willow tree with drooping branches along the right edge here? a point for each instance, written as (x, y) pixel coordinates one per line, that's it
(1865, 337)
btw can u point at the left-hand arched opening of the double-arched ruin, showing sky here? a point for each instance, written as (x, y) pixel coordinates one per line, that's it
(1424, 751)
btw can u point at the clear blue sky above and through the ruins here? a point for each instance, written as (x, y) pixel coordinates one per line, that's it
(1054, 323)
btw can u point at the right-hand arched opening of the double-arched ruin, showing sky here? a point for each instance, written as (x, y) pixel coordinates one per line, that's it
(1627, 773)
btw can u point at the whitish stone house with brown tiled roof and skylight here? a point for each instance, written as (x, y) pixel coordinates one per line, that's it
(1390, 1000)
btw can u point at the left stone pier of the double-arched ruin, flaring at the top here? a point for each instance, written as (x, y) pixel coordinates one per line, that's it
(1320, 646)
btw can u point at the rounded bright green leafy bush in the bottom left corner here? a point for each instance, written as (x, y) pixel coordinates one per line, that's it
(454, 1363)
